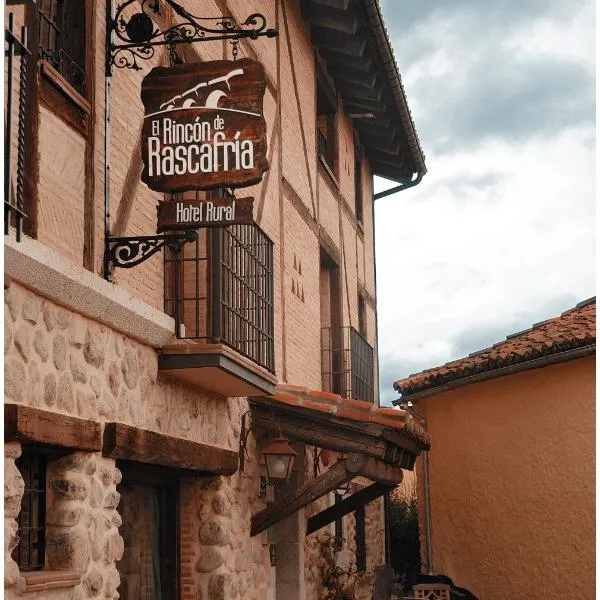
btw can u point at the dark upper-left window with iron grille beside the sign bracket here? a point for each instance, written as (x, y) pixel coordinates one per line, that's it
(61, 38)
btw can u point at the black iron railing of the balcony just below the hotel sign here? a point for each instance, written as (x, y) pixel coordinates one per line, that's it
(225, 290)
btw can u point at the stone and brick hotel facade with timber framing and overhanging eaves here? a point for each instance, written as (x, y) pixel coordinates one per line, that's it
(122, 437)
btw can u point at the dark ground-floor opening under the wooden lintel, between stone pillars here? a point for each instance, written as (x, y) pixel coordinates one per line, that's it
(148, 507)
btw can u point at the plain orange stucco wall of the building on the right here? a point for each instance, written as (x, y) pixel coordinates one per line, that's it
(512, 484)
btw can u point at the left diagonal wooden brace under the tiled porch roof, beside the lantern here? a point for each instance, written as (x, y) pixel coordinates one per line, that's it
(310, 491)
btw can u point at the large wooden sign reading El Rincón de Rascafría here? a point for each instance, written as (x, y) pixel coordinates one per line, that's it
(204, 126)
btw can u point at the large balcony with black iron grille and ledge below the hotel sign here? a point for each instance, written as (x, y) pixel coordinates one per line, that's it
(219, 290)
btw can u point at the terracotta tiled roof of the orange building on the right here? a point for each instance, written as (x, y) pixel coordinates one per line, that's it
(574, 328)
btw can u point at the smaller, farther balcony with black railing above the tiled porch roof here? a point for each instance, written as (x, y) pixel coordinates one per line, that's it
(346, 363)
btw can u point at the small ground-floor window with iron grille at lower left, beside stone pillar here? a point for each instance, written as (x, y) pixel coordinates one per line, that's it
(30, 551)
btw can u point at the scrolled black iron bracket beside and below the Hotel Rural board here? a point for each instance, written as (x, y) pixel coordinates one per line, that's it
(127, 252)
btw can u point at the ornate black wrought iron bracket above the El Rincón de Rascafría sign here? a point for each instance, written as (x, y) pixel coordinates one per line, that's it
(137, 35)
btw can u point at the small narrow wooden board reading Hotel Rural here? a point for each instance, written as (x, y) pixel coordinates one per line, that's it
(193, 214)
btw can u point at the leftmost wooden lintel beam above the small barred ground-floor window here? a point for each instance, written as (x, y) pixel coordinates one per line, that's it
(27, 424)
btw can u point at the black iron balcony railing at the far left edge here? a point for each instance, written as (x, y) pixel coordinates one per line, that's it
(16, 68)
